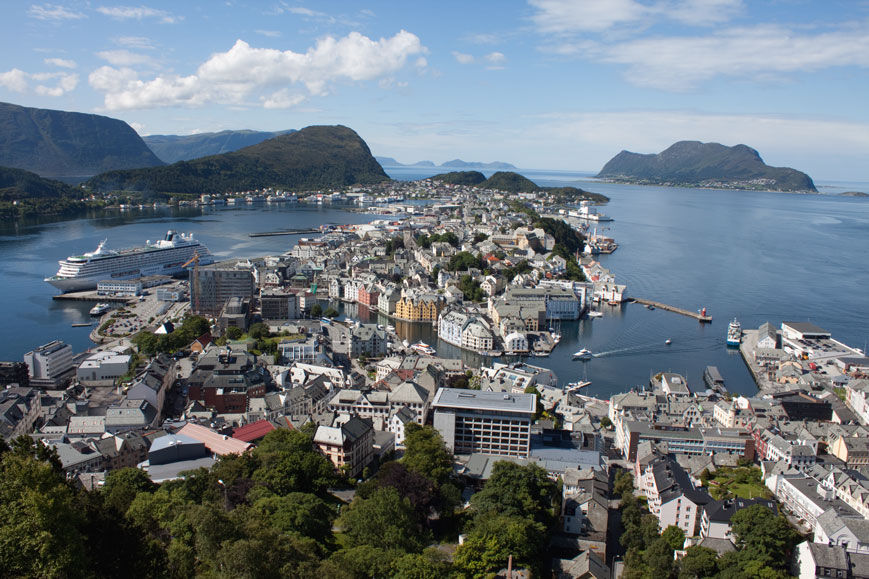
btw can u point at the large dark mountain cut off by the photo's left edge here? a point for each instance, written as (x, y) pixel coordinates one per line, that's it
(69, 145)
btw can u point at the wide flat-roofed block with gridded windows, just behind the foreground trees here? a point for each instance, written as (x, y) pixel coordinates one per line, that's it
(496, 423)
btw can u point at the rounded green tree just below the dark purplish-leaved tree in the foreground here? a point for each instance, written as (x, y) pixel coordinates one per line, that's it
(385, 519)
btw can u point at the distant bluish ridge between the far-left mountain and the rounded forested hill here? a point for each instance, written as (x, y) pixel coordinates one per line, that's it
(174, 148)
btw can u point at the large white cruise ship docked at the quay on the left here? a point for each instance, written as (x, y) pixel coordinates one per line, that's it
(166, 256)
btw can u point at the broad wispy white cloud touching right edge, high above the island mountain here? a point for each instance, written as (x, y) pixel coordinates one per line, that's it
(683, 63)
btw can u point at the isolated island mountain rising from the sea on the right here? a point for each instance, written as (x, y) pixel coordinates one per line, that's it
(696, 164)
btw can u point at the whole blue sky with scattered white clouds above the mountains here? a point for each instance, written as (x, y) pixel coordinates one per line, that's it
(542, 84)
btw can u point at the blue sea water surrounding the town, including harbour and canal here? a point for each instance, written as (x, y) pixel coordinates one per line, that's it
(754, 256)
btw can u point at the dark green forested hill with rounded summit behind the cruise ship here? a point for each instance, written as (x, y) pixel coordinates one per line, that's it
(315, 157)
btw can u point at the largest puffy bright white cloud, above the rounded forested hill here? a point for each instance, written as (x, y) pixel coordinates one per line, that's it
(242, 72)
